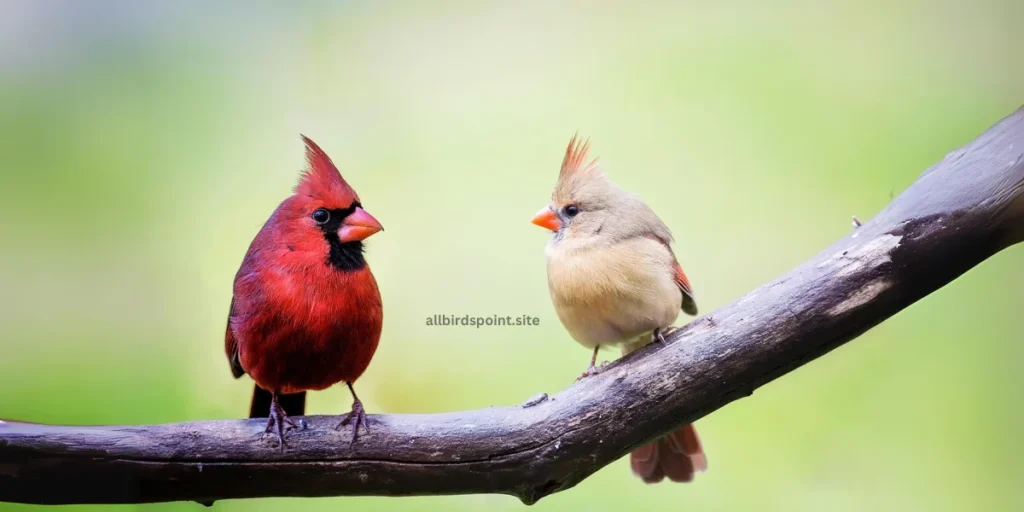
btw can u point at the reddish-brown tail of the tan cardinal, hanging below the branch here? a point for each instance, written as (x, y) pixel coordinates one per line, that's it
(678, 456)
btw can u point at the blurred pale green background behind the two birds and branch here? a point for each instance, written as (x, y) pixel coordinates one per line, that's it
(144, 145)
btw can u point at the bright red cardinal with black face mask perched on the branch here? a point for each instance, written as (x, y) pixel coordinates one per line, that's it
(307, 313)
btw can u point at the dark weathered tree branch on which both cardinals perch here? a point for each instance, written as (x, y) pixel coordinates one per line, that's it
(960, 212)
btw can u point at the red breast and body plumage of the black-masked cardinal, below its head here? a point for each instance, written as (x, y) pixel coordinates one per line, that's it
(301, 324)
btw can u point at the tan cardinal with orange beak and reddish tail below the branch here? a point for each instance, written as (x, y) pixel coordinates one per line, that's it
(615, 281)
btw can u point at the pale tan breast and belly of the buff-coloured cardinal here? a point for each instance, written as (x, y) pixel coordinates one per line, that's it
(606, 295)
